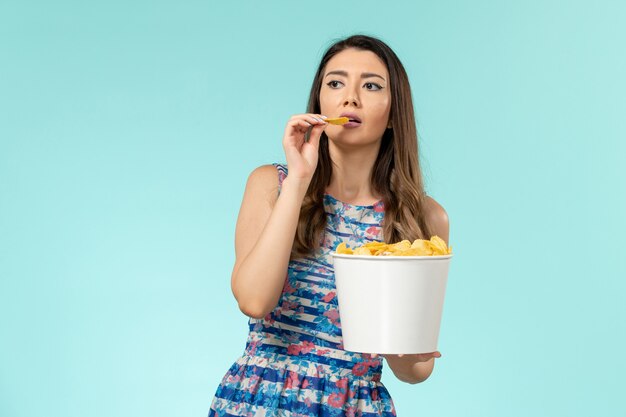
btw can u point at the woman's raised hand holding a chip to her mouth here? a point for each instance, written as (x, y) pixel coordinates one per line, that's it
(302, 156)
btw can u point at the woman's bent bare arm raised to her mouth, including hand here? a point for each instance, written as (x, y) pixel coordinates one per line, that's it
(266, 225)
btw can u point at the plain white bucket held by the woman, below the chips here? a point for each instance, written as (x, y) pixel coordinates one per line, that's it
(391, 304)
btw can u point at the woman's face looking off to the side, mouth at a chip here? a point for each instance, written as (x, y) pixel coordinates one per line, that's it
(356, 84)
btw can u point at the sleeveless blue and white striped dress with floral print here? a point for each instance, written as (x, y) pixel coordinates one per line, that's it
(294, 364)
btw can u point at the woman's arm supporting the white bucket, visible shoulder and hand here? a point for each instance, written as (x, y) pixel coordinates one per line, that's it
(417, 368)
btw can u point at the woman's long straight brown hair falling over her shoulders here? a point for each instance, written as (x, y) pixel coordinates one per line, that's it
(396, 175)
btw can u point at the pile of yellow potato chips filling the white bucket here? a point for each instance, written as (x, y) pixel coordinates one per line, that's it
(436, 246)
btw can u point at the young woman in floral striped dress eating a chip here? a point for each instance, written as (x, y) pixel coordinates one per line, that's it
(353, 183)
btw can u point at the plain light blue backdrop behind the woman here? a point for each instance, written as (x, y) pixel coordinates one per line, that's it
(128, 129)
